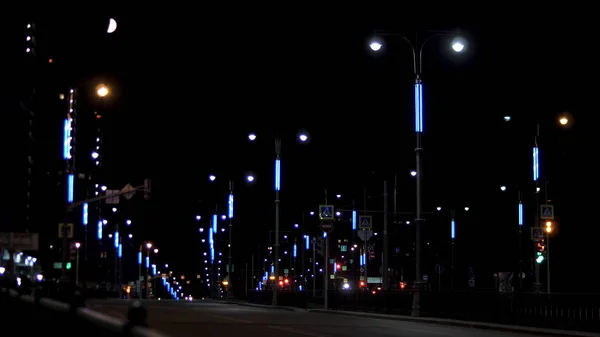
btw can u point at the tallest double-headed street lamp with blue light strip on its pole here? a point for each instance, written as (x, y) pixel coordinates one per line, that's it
(458, 45)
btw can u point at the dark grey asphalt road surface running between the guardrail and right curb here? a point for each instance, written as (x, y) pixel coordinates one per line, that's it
(207, 319)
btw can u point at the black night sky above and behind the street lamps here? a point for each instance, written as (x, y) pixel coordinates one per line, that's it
(188, 89)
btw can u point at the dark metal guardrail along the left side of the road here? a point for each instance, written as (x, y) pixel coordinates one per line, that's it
(32, 314)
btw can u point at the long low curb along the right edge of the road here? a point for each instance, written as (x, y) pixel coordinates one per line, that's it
(469, 324)
